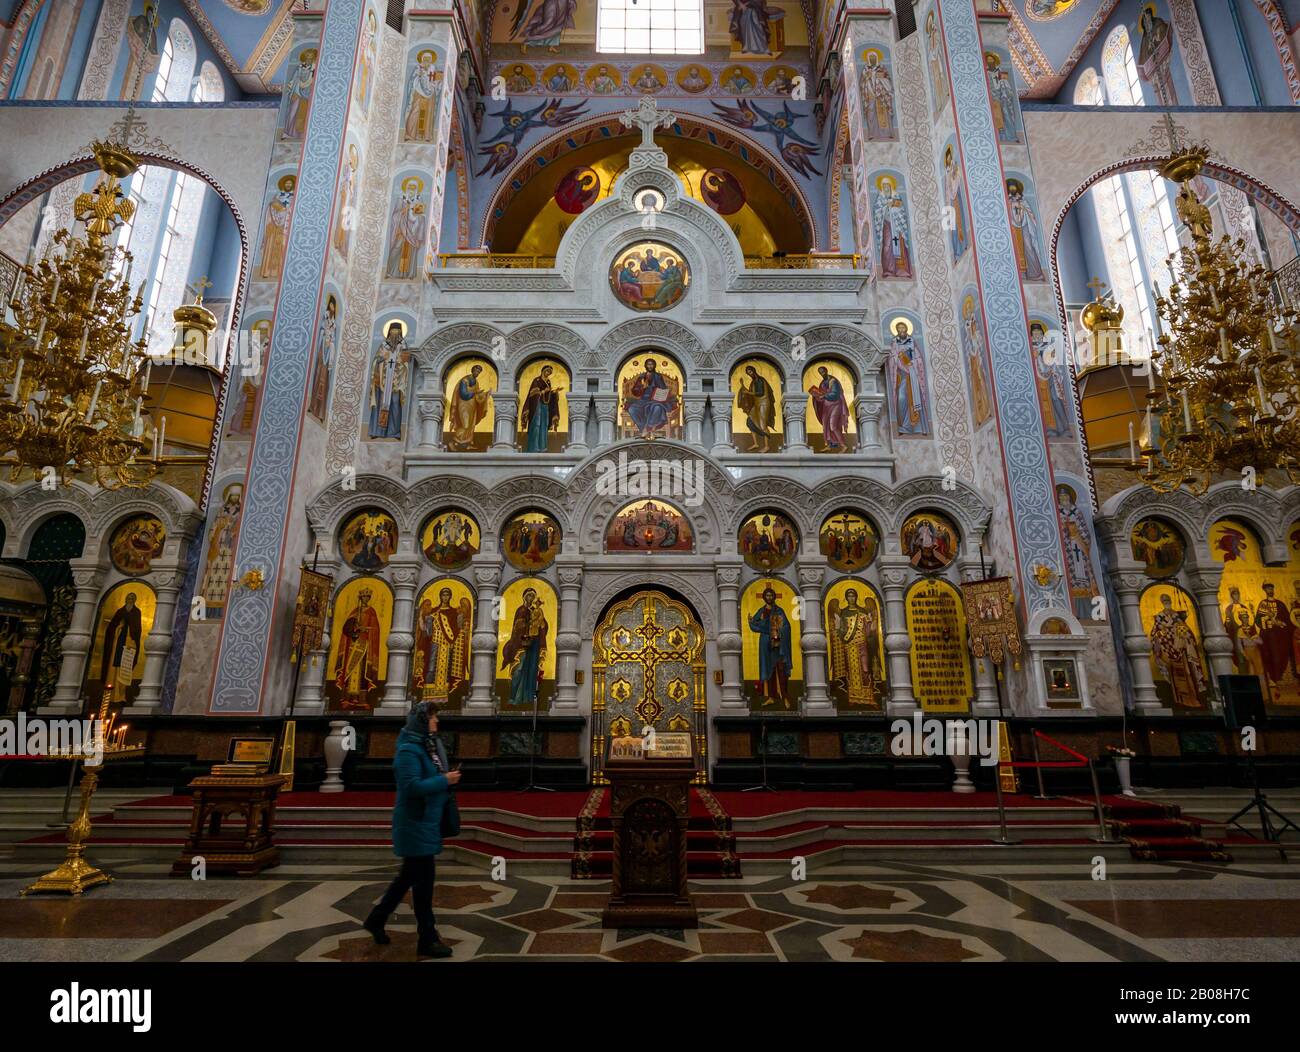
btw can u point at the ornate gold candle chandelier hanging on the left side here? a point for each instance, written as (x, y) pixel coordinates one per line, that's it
(73, 378)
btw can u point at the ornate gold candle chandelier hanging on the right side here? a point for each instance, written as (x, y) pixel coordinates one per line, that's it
(1230, 401)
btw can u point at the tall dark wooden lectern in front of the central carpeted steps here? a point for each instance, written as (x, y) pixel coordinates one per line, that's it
(651, 809)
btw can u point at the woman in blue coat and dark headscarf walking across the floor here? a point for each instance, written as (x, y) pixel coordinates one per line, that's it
(424, 780)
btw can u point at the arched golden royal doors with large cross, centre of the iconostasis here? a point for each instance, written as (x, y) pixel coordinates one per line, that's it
(648, 669)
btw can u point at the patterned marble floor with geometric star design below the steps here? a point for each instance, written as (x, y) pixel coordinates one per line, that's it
(865, 912)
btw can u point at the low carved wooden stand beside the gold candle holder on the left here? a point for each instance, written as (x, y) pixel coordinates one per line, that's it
(245, 846)
